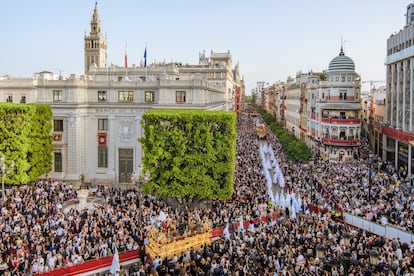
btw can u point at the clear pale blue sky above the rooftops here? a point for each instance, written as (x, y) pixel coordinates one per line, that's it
(271, 39)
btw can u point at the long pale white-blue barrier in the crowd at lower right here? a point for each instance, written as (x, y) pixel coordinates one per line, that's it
(378, 229)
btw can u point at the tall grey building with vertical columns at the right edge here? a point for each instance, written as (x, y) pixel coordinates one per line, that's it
(398, 132)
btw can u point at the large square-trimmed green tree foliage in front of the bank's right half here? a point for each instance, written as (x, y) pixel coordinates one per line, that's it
(190, 154)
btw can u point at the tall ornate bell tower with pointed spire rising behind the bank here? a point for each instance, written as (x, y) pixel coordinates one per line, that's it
(95, 43)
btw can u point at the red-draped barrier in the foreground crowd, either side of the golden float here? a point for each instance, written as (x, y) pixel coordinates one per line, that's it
(129, 257)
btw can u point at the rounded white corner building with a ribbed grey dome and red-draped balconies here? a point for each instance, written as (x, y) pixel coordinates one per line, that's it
(334, 108)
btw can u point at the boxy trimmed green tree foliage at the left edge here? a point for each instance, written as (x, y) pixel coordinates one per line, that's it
(25, 138)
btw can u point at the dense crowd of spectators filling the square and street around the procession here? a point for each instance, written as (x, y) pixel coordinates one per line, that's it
(38, 236)
